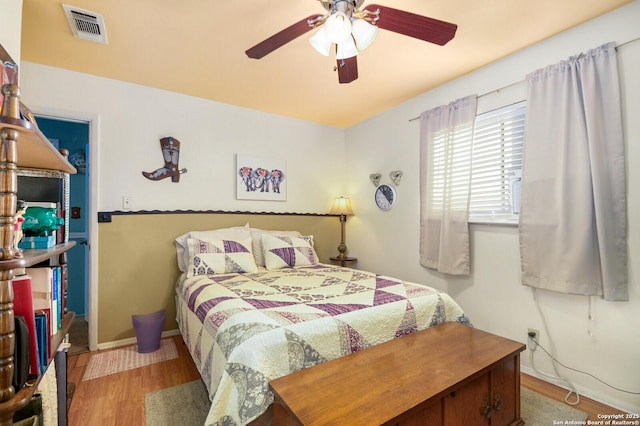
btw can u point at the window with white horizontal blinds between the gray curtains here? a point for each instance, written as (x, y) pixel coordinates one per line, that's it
(496, 167)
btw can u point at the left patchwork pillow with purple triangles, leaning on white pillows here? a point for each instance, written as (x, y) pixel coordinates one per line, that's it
(220, 256)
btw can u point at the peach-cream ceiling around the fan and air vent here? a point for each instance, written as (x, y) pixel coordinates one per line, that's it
(197, 47)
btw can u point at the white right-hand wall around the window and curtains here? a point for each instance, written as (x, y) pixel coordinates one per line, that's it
(387, 242)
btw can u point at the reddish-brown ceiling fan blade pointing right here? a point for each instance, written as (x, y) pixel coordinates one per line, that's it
(412, 25)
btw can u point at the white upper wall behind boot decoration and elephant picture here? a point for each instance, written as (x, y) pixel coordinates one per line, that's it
(132, 119)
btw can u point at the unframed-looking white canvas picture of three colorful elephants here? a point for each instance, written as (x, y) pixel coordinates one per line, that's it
(261, 178)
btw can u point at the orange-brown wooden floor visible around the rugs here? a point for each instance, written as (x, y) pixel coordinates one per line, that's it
(118, 399)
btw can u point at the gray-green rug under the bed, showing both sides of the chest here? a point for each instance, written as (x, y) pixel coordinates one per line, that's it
(188, 405)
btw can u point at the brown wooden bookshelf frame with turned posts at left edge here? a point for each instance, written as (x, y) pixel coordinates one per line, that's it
(22, 145)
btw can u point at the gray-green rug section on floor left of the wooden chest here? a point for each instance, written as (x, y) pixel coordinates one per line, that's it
(184, 405)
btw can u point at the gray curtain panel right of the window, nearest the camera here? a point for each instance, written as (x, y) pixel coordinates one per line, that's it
(573, 227)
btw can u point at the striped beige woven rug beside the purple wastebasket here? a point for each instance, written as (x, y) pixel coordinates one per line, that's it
(111, 362)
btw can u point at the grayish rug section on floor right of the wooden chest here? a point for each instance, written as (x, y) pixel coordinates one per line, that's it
(538, 410)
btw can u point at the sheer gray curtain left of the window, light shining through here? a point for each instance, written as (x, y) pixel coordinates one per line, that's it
(445, 167)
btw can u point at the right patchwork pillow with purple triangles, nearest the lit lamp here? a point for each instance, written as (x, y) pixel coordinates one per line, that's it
(287, 252)
